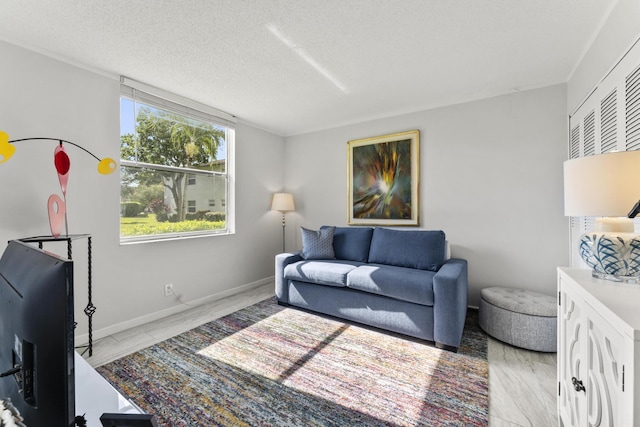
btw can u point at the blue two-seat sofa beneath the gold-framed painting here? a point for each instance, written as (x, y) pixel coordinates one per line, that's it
(401, 281)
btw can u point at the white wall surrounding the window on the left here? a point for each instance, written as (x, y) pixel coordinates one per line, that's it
(42, 96)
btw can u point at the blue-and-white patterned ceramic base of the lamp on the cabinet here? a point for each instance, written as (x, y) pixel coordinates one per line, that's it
(612, 250)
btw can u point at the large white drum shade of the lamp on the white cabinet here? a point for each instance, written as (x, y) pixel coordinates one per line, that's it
(602, 185)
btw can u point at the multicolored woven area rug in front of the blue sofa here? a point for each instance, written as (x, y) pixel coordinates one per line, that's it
(268, 365)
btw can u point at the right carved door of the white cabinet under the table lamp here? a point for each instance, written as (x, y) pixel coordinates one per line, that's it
(606, 364)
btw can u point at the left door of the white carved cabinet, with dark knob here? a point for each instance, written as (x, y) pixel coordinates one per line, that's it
(572, 400)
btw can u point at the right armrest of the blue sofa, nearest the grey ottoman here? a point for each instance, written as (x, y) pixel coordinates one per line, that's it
(450, 289)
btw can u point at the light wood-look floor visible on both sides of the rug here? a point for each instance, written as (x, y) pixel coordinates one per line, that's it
(522, 383)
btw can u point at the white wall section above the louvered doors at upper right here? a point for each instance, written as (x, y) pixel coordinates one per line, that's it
(617, 35)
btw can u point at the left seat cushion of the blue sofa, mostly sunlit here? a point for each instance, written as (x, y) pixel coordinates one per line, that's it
(326, 272)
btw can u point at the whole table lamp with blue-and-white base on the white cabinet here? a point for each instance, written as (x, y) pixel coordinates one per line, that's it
(606, 186)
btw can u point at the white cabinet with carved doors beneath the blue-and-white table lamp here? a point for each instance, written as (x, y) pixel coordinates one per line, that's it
(598, 351)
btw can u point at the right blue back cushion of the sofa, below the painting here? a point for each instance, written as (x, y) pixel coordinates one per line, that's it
(421, 249)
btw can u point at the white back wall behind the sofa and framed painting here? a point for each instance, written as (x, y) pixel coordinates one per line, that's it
(491, 178)
